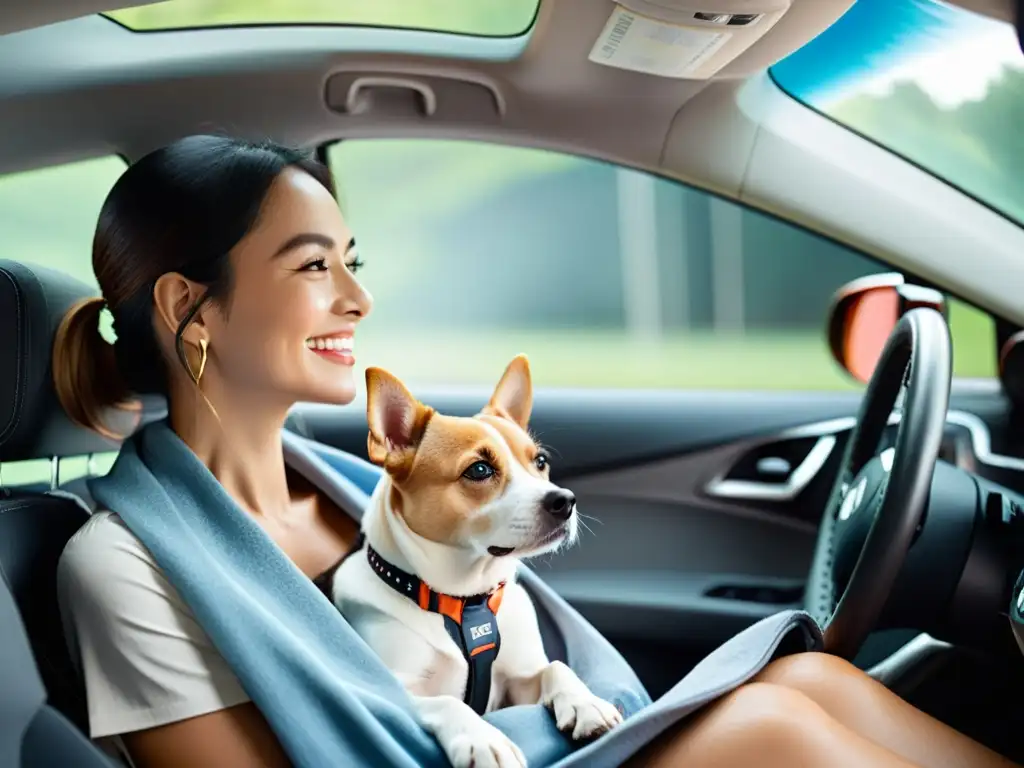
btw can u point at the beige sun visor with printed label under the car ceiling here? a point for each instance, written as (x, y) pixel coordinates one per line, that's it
(689, 39)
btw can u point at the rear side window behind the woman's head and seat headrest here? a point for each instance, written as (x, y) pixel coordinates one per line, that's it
(48, 218)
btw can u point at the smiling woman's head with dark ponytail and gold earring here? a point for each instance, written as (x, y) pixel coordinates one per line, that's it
(162, 306)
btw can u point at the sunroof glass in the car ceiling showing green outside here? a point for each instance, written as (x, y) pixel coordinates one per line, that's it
(494, 19)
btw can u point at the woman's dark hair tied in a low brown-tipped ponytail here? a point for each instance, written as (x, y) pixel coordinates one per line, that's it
(180, 209)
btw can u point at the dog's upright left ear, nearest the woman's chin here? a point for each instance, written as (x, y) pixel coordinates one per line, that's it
(397, 419)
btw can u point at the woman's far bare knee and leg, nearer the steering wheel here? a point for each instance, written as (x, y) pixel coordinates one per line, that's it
(864, 705)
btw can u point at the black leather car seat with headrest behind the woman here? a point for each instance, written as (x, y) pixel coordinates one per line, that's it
(42, 707)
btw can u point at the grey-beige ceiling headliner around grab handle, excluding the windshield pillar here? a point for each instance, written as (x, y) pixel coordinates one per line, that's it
(88, 87)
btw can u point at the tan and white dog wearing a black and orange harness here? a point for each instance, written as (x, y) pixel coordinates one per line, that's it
(434, 588)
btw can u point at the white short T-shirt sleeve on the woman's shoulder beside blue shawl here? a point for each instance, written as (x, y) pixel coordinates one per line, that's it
(144, 658)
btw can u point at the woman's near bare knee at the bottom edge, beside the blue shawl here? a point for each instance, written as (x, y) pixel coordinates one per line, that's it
(767, 727)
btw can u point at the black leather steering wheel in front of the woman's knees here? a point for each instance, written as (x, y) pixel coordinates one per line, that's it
(893, 489)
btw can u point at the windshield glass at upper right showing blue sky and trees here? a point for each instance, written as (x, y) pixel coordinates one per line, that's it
(942, 87)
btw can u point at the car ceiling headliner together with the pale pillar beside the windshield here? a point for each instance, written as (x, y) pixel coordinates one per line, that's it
(87, 87)
